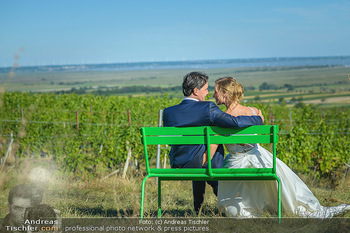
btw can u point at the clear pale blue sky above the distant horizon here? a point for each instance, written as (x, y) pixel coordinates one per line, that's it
(48, 32)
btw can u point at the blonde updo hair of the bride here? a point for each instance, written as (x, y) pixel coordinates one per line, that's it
(234, 91)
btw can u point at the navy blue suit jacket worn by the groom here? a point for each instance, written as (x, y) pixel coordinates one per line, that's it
(200, 113)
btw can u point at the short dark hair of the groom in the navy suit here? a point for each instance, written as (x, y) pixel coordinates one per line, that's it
(193, 80)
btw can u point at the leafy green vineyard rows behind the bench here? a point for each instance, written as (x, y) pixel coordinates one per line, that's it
(91, 135)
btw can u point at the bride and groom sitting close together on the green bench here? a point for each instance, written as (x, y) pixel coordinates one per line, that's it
(245, 198)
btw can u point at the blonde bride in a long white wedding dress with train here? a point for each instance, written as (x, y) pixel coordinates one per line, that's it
(252, 198)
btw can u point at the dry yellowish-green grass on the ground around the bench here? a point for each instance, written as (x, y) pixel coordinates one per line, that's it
(116, 196)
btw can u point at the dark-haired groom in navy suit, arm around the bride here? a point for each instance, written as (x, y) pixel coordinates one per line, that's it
(195, 111)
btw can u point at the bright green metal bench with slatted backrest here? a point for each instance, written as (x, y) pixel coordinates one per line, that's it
(209, 135)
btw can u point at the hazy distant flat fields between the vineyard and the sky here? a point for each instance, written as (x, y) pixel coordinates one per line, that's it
(326, 85)
